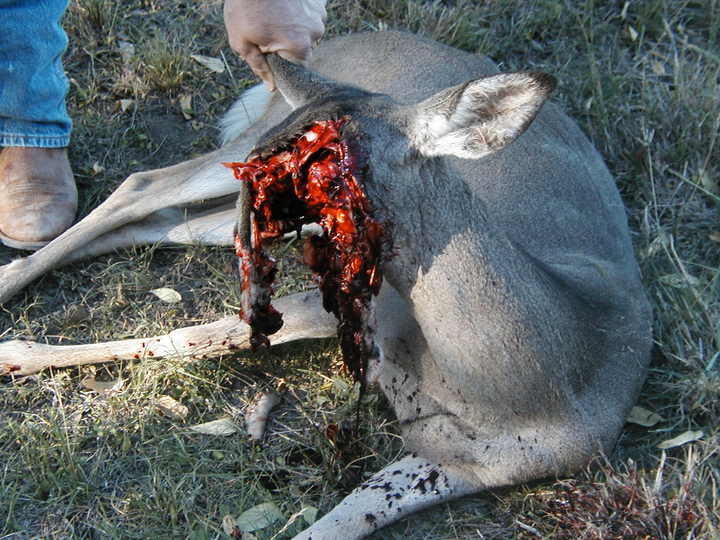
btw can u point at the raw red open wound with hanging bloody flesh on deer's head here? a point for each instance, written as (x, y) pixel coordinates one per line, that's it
(314, 179)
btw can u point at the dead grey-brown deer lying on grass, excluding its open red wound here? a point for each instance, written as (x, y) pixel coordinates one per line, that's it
(512, 332)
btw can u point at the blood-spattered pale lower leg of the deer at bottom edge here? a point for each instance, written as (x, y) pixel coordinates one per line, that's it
(401, 488)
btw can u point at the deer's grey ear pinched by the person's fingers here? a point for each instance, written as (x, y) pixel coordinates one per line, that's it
(297, 84)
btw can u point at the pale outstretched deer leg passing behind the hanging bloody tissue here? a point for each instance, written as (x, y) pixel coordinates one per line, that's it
(303, 315)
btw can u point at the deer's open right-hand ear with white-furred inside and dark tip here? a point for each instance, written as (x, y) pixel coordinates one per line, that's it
(479, 117)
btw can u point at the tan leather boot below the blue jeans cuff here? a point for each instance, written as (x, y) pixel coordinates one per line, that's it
(38, 197)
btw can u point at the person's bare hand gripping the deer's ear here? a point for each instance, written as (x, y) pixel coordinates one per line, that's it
(288, 27)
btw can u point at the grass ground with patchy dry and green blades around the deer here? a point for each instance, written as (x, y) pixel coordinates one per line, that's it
(641, 78)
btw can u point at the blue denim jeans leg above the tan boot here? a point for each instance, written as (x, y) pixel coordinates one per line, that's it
(33, 85)
